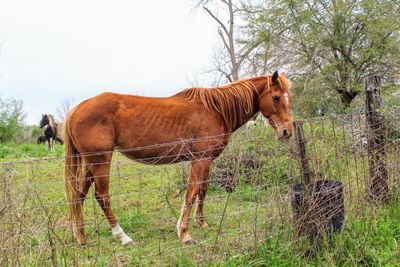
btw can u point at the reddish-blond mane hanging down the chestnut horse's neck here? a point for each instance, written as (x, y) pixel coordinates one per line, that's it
(234, 102)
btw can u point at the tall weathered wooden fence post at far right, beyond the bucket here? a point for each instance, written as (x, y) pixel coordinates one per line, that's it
(376, 135)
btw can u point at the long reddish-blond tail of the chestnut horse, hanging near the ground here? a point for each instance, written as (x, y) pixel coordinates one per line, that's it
(73, 175)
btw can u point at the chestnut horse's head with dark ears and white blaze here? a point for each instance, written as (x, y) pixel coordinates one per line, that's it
(275, 101)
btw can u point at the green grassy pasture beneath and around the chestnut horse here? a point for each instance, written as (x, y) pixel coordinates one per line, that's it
(255, 229)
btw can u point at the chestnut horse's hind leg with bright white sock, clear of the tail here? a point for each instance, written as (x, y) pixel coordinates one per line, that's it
(101, 172)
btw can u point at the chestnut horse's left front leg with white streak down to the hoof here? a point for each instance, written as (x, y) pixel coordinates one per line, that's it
(197, 175)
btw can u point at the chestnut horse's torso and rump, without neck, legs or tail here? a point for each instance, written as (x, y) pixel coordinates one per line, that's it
(130, 122)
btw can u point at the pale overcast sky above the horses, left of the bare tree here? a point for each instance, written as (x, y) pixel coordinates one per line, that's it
(52, 50)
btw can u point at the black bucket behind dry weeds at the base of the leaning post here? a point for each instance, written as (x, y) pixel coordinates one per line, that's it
(323, 212)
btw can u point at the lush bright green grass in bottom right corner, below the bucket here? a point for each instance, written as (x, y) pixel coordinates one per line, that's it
(371, 243)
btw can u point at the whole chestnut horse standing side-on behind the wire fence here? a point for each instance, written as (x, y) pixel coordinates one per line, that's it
(193, 125)
